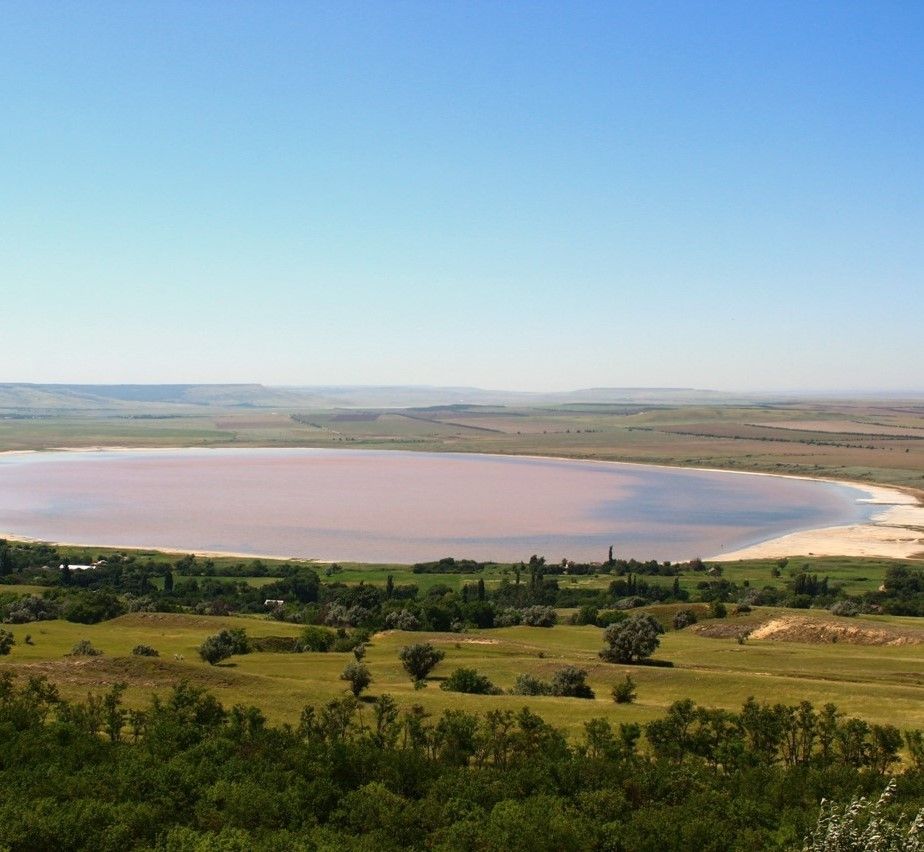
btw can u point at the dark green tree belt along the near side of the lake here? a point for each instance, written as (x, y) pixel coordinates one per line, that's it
(528, 593)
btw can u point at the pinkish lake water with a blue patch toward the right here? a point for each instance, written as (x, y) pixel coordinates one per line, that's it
(386, 506)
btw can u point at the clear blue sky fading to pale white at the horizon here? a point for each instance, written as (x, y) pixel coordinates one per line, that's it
(508, 195)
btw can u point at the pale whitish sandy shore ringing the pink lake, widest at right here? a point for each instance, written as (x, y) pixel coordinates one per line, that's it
(895, 533)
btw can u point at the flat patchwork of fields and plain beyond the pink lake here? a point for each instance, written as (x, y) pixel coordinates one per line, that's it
(864, 441)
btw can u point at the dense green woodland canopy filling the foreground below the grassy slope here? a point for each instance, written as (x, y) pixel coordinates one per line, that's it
(187, 773)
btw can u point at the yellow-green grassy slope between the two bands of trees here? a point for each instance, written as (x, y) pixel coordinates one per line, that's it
(880, 682)
